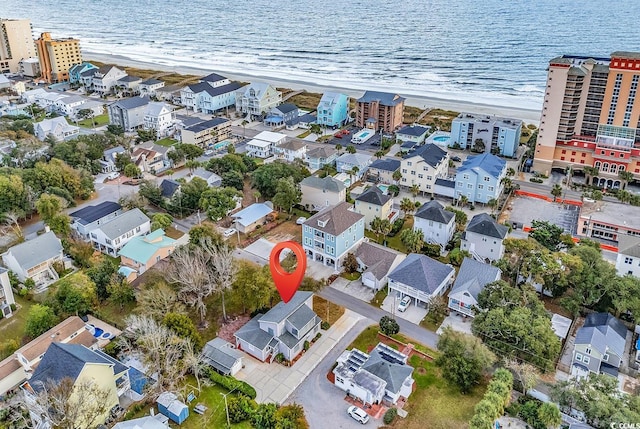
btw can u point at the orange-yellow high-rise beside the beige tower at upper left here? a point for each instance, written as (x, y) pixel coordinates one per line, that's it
(57, 56)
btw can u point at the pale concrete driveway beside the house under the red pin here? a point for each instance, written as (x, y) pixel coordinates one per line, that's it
(274, 382)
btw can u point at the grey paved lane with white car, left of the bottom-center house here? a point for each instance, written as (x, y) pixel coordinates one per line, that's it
(324, 404)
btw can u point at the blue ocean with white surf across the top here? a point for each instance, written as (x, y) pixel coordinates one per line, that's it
(488, 51)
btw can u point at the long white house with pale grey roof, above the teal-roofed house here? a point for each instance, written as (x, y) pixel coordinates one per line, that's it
(111, 236)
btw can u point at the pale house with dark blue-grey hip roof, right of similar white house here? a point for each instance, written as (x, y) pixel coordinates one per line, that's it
(483, 238)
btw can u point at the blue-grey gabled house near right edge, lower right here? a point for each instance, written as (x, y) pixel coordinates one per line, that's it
(603, 331)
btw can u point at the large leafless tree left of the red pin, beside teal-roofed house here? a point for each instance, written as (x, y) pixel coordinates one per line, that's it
(192, 271)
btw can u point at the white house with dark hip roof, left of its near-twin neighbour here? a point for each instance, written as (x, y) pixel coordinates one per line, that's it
(436, 223)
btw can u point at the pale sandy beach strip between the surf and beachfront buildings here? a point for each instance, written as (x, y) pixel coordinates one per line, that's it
(529, 116)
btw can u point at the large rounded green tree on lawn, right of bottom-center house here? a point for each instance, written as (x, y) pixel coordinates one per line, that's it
(463, 358)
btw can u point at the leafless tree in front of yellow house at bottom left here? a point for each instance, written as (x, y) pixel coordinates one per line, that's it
(70, 404)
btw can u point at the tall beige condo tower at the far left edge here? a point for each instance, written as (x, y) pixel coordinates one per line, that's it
(16, 43)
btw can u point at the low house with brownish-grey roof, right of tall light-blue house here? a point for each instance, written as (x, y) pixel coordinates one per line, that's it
(376, 262)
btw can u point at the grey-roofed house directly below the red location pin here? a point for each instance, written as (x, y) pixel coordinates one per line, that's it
(283, 329)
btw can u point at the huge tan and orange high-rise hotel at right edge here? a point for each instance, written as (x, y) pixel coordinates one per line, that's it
(591, 117)
